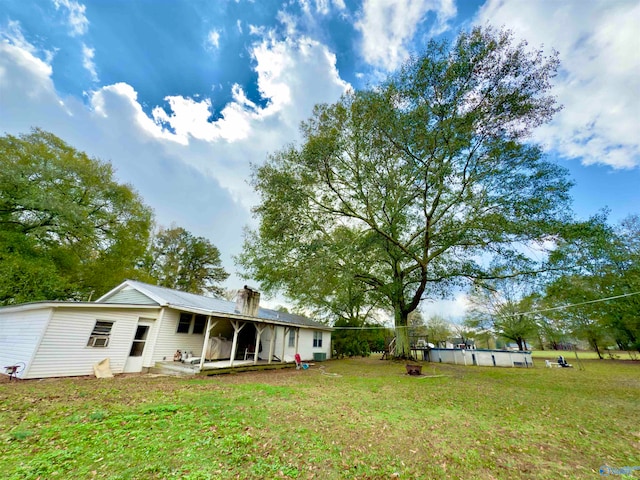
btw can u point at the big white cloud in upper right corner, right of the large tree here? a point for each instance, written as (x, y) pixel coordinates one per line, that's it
(599, 79)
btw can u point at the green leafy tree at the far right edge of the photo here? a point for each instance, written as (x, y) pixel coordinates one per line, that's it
(601, 290)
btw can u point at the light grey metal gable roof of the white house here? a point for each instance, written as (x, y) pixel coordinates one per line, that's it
(124, 293)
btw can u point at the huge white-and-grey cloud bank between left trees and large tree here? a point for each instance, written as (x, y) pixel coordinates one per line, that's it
(192, 171)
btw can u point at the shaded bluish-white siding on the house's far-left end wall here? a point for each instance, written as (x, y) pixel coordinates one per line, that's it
(20, 334)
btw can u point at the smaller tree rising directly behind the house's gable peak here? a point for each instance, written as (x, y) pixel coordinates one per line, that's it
(178, 259)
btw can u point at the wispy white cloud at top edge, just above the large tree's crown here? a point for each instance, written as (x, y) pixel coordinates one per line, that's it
(388, 26)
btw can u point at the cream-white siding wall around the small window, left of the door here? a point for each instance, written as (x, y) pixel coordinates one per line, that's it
(64, 351)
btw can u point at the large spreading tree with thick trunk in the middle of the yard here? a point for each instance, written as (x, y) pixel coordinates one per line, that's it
(430, 172)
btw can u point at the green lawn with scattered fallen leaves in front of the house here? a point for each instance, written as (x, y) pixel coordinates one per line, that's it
(353, 418)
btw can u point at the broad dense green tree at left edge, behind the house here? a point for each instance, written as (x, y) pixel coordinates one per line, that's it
(68, 229)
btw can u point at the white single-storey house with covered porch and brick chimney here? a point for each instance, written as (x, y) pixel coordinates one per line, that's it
(137, 325)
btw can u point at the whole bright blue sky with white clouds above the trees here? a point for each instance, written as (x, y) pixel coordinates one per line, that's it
(182, 96)
